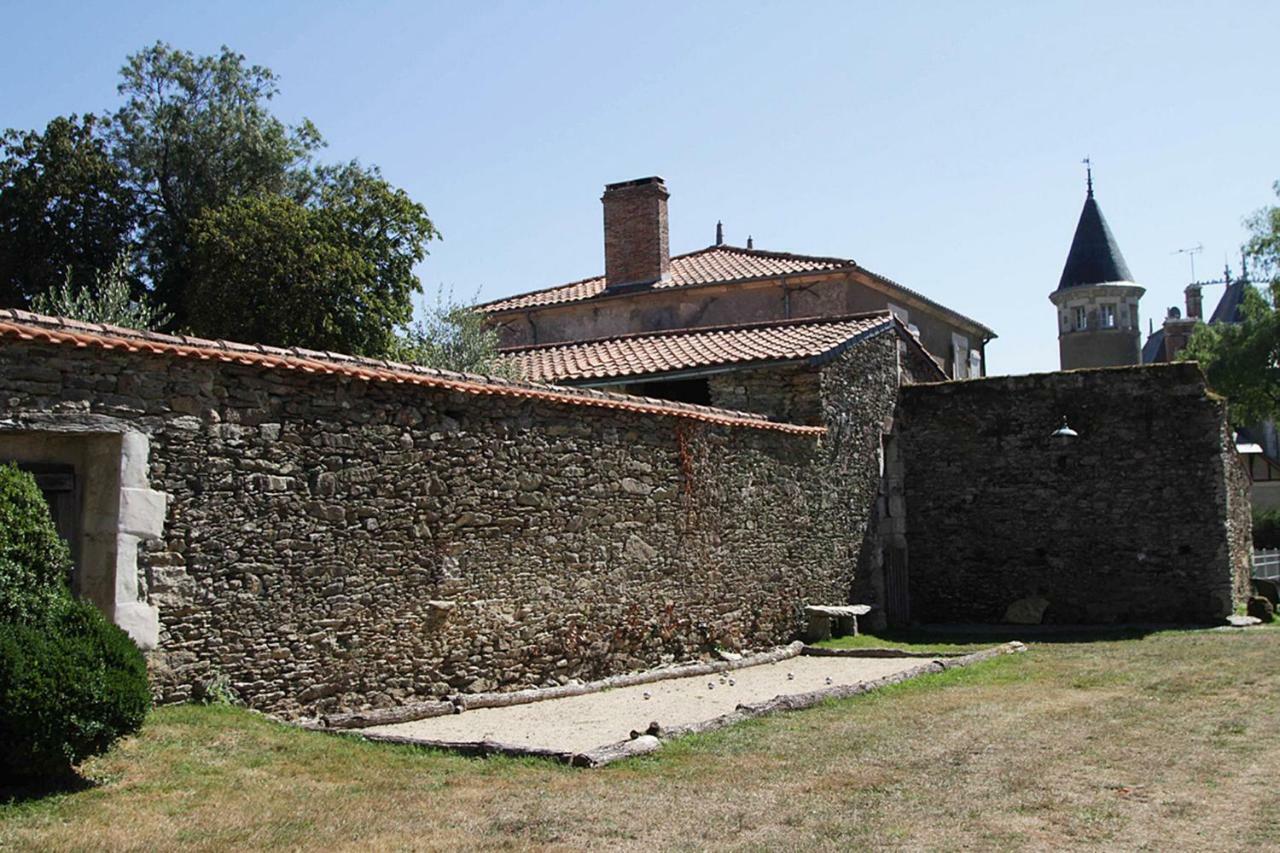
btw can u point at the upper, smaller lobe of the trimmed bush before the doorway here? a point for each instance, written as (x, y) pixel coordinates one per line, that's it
(34, 559)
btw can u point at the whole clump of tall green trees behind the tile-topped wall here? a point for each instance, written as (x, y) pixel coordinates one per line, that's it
(235, 231)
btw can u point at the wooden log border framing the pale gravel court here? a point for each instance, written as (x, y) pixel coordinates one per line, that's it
(653, 738)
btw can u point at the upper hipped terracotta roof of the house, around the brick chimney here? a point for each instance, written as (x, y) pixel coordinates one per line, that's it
(714, 266)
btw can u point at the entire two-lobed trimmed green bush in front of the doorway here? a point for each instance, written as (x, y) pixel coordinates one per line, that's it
(71, 683)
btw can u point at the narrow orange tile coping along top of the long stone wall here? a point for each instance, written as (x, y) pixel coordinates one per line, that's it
(25, 326)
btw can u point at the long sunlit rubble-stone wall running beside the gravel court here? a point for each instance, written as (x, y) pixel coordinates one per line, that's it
(339, 542)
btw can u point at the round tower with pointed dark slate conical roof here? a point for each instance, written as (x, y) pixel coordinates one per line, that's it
(1096, 298)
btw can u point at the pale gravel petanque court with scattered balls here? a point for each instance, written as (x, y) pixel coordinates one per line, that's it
(584, 723)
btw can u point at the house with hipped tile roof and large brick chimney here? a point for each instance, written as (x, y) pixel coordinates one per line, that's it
(647, 290)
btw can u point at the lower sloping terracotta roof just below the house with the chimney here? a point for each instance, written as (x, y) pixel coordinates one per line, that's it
(664, 353)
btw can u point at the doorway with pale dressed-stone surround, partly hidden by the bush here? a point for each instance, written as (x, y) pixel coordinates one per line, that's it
(97, 487)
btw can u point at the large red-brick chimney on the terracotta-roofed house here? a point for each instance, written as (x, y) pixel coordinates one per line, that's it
(637, 244)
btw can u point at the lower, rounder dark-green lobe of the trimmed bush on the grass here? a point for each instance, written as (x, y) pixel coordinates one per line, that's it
(68, 690)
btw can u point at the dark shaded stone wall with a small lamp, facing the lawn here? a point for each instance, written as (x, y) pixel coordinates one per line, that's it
(1142, 518)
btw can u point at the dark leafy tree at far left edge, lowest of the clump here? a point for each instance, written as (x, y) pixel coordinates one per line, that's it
(66, 208)
